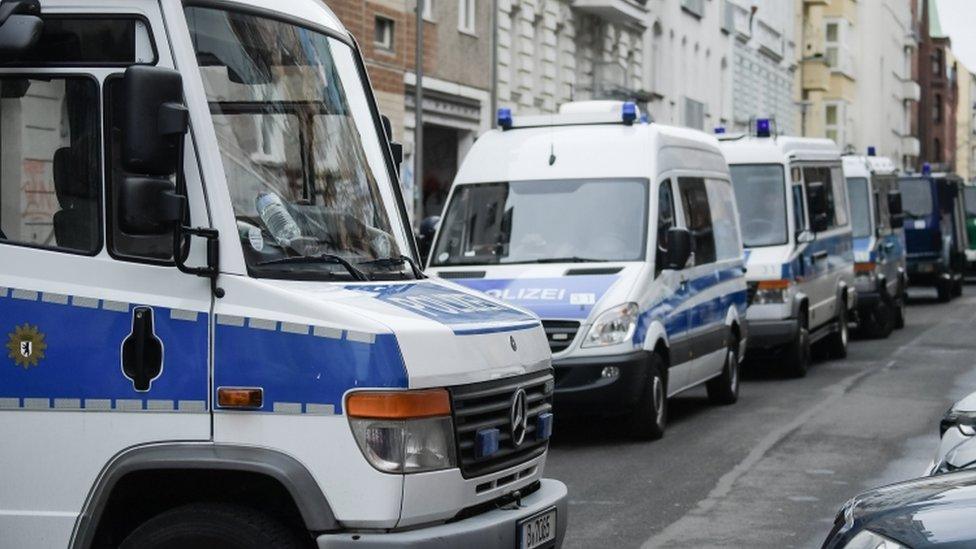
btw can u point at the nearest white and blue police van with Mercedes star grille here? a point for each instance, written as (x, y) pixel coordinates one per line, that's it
(288, 377)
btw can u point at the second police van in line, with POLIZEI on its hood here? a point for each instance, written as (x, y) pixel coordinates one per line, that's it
(622, 236)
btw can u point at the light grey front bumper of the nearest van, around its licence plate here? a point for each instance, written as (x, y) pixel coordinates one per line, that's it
(496, 528)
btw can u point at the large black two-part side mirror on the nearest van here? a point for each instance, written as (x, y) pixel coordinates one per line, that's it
(154, 123)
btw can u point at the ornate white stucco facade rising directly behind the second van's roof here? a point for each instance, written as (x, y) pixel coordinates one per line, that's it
(554, 51)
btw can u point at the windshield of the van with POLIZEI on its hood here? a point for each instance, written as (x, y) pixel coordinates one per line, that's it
(544, 222)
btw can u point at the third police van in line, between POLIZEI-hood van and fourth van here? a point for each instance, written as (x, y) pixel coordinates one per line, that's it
(796, 229)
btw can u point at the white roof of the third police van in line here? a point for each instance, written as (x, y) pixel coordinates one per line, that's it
(768, 150)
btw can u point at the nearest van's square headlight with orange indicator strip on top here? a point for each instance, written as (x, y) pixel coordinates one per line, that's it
(403, 431)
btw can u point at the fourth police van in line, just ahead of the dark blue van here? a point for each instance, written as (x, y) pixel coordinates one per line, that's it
(877, 220)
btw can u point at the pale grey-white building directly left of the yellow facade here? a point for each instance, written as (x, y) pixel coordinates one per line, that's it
(763, 62)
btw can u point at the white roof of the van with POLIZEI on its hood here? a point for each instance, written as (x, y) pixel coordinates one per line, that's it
(589, 151)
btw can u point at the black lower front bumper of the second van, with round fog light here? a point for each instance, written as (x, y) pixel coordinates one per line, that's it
(581, 388)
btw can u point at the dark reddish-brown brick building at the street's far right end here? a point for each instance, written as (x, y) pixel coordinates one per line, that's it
(937, 78)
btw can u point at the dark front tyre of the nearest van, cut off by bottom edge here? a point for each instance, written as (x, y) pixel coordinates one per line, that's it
(211, 526)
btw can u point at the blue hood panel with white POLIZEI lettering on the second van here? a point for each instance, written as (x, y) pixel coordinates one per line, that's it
(570, 297)
